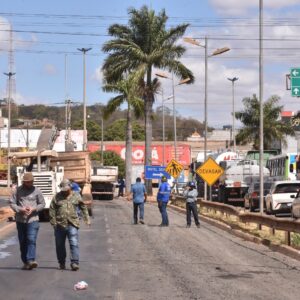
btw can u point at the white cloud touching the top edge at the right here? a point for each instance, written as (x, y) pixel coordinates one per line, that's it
(238, 7)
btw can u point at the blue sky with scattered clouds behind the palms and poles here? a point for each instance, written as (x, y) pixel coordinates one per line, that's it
(49, 68)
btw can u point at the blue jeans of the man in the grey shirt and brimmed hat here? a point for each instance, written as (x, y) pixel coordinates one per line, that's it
(27, 234)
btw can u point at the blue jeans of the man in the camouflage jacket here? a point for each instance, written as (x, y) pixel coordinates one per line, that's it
(61, 233)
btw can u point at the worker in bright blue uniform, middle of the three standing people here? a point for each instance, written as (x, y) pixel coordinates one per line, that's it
(163, 196)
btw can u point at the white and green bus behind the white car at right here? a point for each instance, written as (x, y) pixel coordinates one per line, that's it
(282, 167)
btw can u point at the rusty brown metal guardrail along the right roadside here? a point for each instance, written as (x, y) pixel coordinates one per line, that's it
(246, 217)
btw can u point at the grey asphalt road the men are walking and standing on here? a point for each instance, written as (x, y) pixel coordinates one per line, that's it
(120, 260)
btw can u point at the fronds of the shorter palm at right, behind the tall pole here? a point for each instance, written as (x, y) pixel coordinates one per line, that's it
(274, 129)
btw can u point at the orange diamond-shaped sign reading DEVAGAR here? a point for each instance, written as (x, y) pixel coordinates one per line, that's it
(210, 171)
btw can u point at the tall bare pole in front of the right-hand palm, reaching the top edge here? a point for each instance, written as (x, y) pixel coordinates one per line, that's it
(261, 117)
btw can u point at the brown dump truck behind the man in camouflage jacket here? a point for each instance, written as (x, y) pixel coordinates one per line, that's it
(77, 167)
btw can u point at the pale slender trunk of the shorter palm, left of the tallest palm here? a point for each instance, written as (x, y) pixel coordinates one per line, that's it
(128, 154)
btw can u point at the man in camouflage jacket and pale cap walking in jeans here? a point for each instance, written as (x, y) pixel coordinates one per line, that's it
(65, 221)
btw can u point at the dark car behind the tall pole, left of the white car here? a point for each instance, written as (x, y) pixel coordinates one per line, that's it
(252, 198)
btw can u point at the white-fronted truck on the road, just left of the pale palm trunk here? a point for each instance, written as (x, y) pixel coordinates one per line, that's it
(104, 180)
